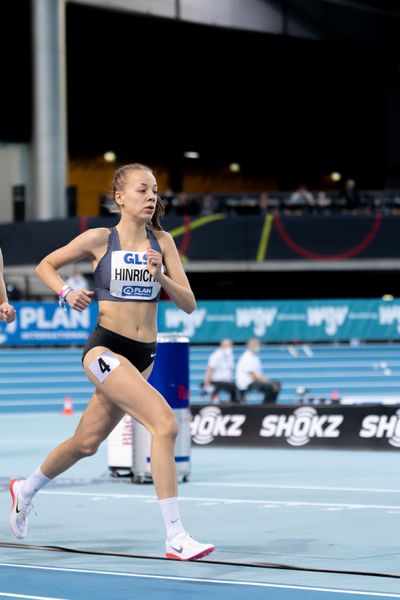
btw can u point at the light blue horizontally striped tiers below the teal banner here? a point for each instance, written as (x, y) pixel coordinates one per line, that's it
(40, 379)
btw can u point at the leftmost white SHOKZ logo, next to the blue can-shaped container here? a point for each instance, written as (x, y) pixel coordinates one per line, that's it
(210, 423)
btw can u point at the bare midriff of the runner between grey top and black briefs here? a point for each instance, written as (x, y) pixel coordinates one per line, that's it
(134, 320)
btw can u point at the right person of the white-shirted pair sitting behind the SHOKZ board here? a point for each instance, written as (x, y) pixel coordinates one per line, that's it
(249, 374)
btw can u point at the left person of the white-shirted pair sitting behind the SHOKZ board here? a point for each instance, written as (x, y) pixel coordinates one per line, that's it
(220, 371)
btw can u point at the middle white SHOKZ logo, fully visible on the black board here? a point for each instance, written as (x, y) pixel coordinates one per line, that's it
(303, 425)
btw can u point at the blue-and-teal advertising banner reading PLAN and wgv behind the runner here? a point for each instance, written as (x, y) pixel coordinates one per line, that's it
(47, 324)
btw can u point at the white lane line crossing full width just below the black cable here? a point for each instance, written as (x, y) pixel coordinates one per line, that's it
(204, 580)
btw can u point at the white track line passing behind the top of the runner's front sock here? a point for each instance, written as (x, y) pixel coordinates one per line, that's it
(223, 500)
